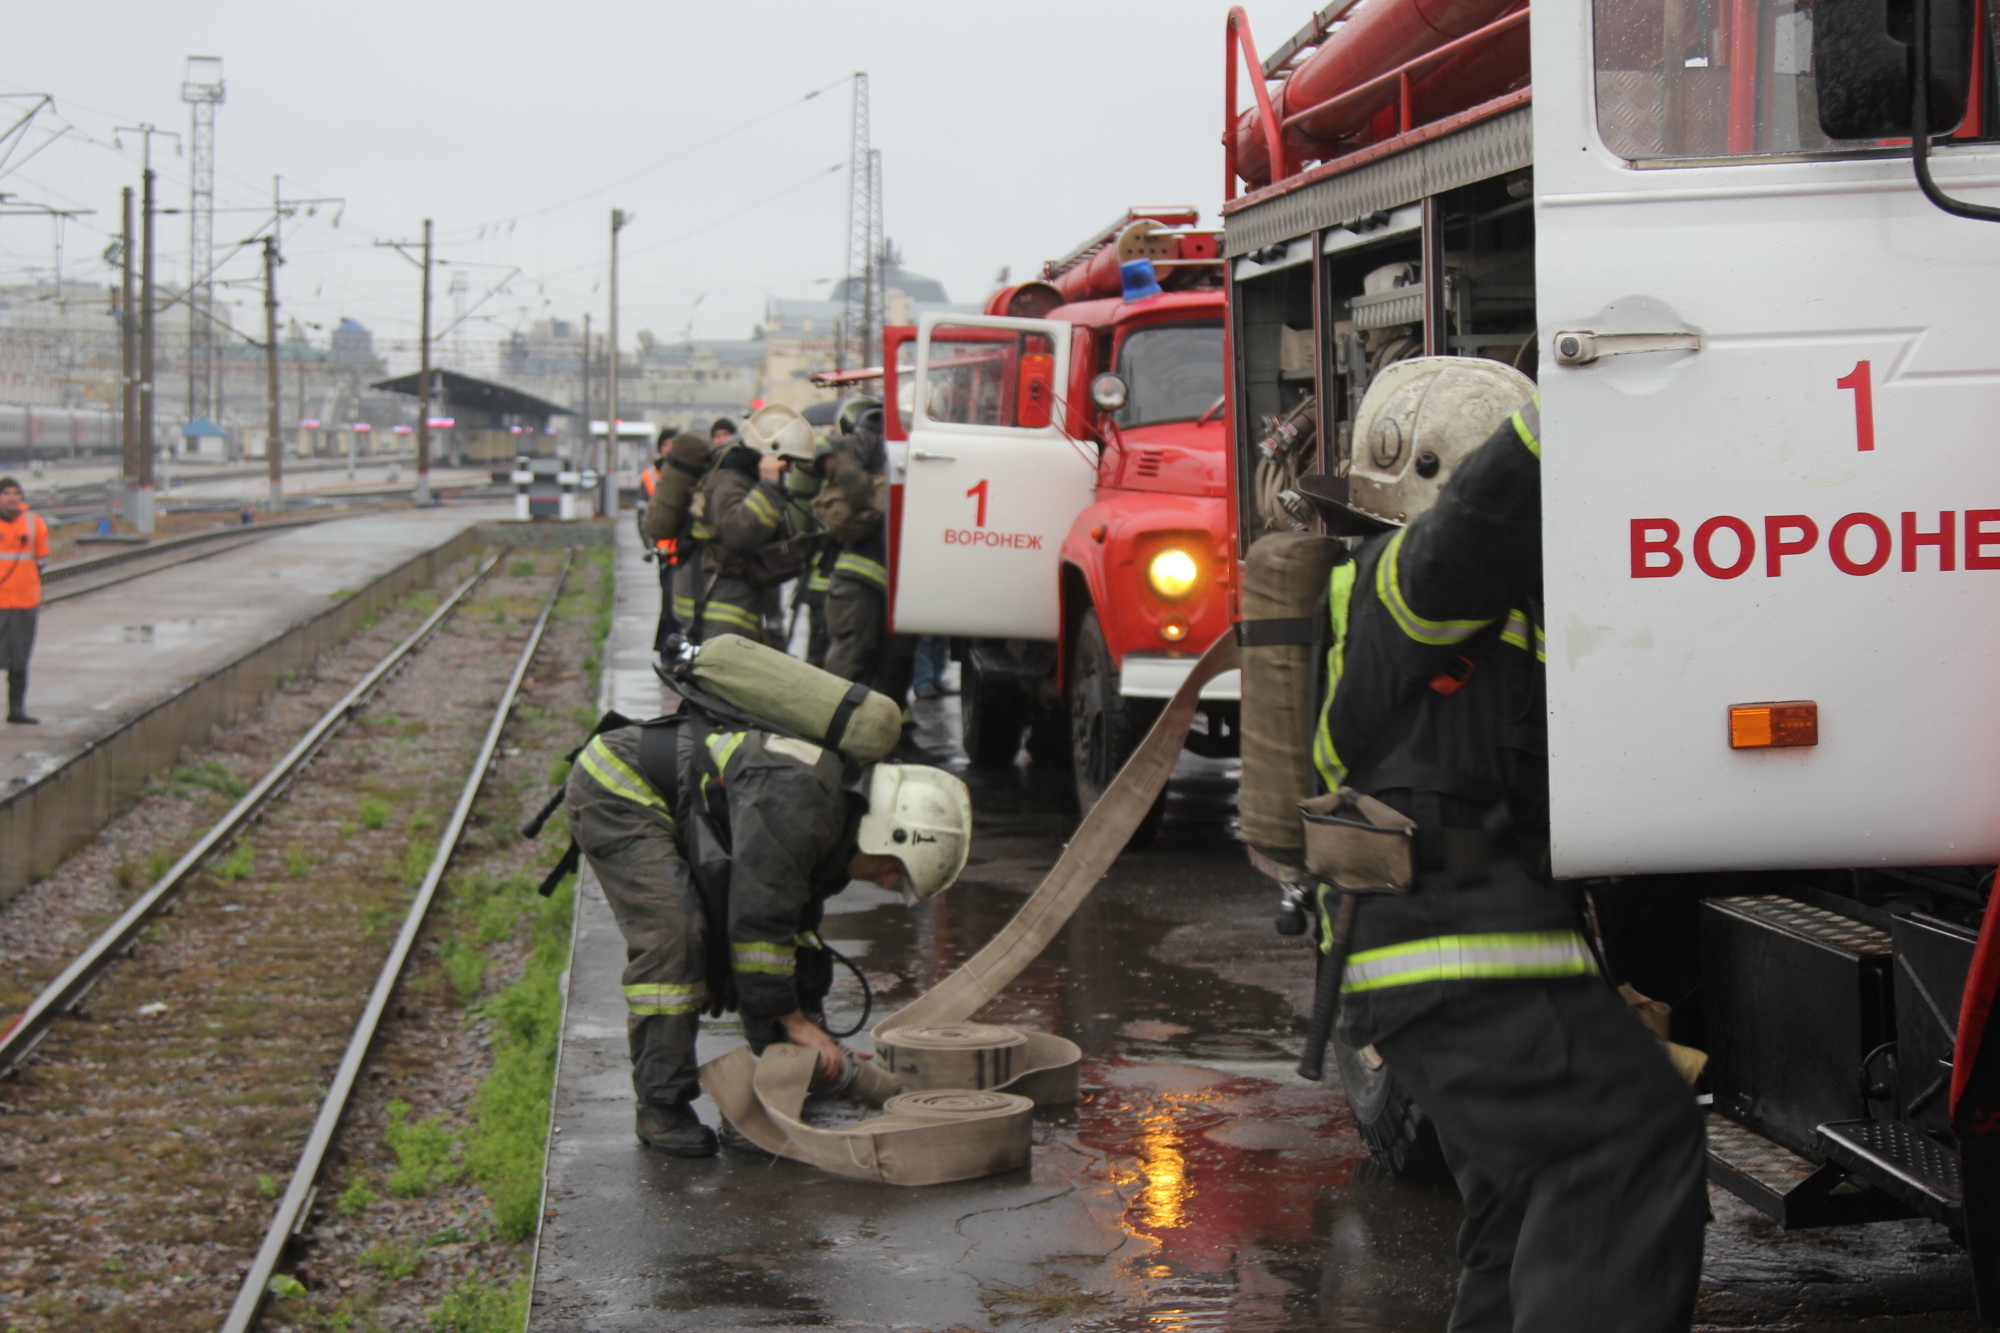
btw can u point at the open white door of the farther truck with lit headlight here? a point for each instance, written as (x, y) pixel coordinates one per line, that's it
(993, 481)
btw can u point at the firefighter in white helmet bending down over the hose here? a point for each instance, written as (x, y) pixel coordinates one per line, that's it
(717, 852)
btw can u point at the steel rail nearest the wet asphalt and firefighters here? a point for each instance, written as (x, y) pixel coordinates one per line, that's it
(293, 1210)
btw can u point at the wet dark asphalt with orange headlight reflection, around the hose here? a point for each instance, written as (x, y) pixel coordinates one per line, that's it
(1197, 1186)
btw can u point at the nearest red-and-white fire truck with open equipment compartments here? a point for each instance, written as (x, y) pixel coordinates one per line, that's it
(1767, 351)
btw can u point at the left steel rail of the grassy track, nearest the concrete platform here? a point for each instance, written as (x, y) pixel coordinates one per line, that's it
(77, 980)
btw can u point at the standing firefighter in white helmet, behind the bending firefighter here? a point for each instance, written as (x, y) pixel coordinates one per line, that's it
(753, 531)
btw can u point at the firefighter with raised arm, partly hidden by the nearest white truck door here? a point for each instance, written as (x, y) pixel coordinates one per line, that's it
(1575, 1144)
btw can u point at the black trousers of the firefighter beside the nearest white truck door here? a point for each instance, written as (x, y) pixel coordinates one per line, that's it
(1579, 1154)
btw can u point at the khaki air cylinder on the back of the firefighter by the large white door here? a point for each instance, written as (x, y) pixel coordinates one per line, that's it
(1283, 639)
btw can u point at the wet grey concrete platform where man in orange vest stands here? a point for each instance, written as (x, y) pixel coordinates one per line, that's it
(113, 653)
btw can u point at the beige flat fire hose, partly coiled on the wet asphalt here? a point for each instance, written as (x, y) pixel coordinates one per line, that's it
(957, 1096)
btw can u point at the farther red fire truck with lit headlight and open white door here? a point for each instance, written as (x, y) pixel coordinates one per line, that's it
(1061, 497)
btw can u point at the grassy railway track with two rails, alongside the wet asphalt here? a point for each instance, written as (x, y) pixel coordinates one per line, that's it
(243, 1044)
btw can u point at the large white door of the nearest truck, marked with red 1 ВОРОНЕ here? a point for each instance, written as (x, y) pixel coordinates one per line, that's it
(1769, 381)
